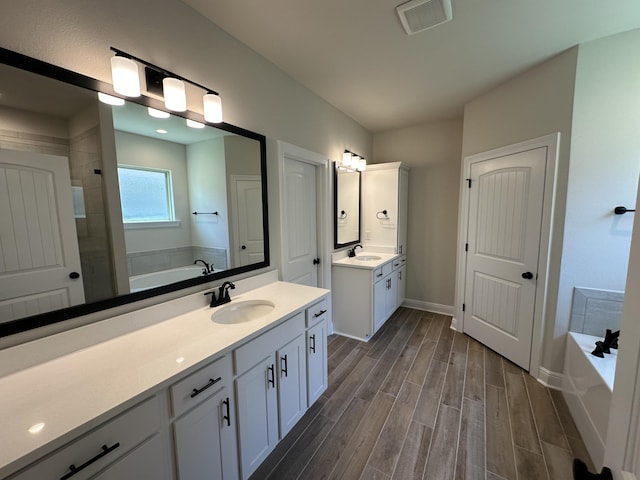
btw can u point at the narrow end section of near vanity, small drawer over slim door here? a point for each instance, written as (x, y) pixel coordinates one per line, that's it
(317, 370)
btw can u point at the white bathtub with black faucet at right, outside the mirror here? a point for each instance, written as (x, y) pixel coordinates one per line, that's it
(588, 386)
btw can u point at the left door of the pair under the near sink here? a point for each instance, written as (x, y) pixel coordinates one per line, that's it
(257, 400)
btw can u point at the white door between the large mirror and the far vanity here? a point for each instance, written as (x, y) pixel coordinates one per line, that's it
(300, 242)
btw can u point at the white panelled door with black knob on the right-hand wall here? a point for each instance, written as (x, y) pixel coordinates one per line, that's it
(505, 216)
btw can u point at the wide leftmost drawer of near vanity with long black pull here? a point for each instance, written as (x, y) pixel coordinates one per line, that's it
(99, 448)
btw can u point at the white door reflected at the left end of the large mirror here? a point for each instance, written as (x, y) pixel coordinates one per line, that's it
(38, 242)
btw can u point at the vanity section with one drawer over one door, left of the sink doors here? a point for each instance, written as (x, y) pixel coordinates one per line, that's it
(205, 438)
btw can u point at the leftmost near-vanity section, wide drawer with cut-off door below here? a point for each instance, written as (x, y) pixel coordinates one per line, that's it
(128, 446)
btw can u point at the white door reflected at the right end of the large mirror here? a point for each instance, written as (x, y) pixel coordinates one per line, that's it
(247, 205)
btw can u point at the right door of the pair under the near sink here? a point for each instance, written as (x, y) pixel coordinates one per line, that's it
(292, 384)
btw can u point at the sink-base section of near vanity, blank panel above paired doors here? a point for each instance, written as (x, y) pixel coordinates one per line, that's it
(270, 389)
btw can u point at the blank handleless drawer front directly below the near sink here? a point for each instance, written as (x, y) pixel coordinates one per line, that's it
(260, 347)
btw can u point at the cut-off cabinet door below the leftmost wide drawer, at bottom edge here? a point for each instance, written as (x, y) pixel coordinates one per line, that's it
(147, 462)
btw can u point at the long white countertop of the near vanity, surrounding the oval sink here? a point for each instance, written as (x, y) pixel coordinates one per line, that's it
(79, 390)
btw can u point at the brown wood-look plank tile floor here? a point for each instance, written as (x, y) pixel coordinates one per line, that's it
(420, 401)
